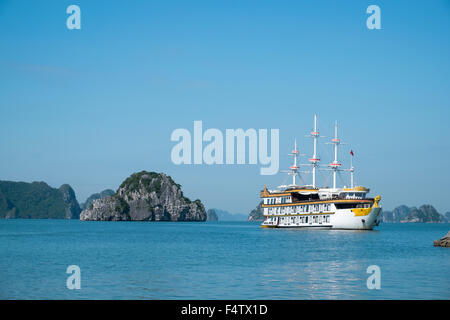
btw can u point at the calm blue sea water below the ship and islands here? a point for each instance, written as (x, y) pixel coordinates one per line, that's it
(225, 260)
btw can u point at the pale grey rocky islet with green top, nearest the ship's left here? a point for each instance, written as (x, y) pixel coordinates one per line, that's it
(146, 196)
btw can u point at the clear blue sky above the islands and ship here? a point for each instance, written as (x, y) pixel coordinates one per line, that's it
(89, 107)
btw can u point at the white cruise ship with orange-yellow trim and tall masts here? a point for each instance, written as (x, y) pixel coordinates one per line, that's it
(310, 206)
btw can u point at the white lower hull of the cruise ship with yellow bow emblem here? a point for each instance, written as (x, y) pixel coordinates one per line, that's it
(340, 219)
